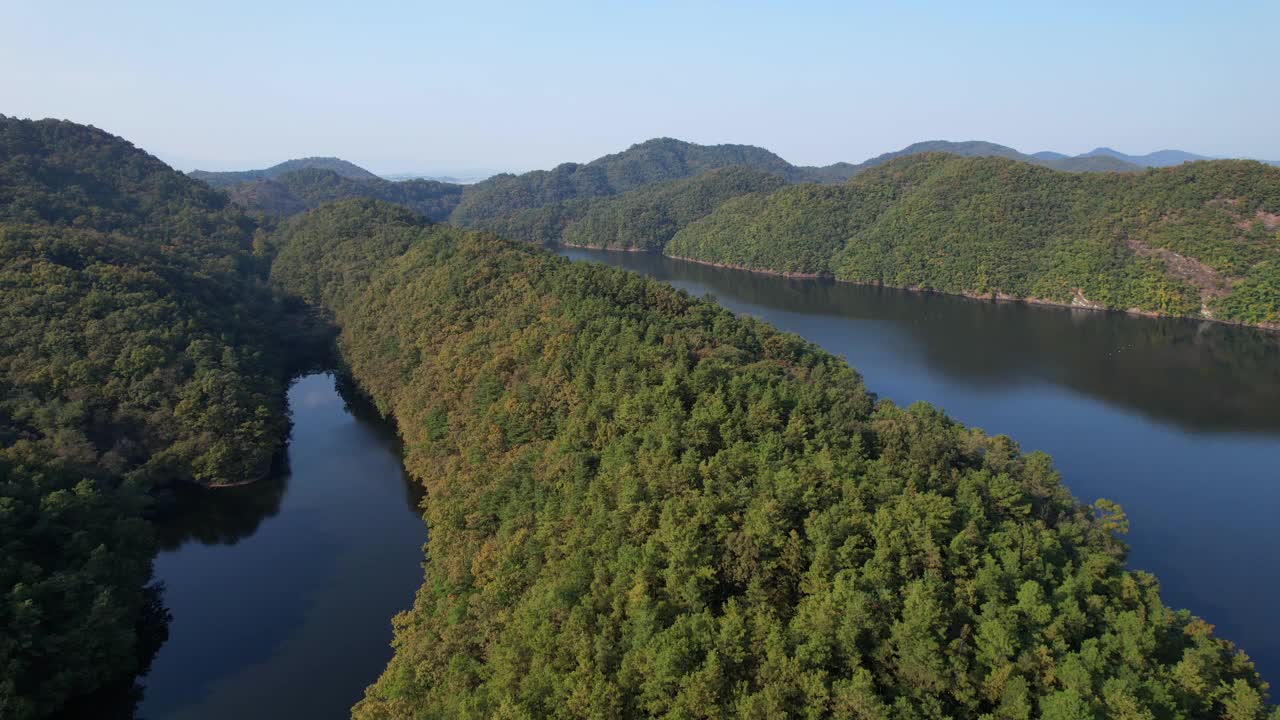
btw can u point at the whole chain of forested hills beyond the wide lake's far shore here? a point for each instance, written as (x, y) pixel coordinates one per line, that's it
(1199, 240)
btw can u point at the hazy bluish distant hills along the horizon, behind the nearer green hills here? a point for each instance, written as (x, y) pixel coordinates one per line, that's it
(495, 203)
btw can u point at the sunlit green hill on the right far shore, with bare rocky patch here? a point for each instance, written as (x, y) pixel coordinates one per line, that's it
(1199, 240)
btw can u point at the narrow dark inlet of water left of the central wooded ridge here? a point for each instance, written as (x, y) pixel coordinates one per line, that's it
(282, 593)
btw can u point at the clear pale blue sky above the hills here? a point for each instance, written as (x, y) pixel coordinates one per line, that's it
(419, 86)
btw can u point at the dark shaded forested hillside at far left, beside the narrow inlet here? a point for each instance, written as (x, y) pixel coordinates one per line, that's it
(139, 345)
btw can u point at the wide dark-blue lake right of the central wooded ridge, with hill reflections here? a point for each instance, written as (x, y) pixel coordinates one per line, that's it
(1177, 421)
